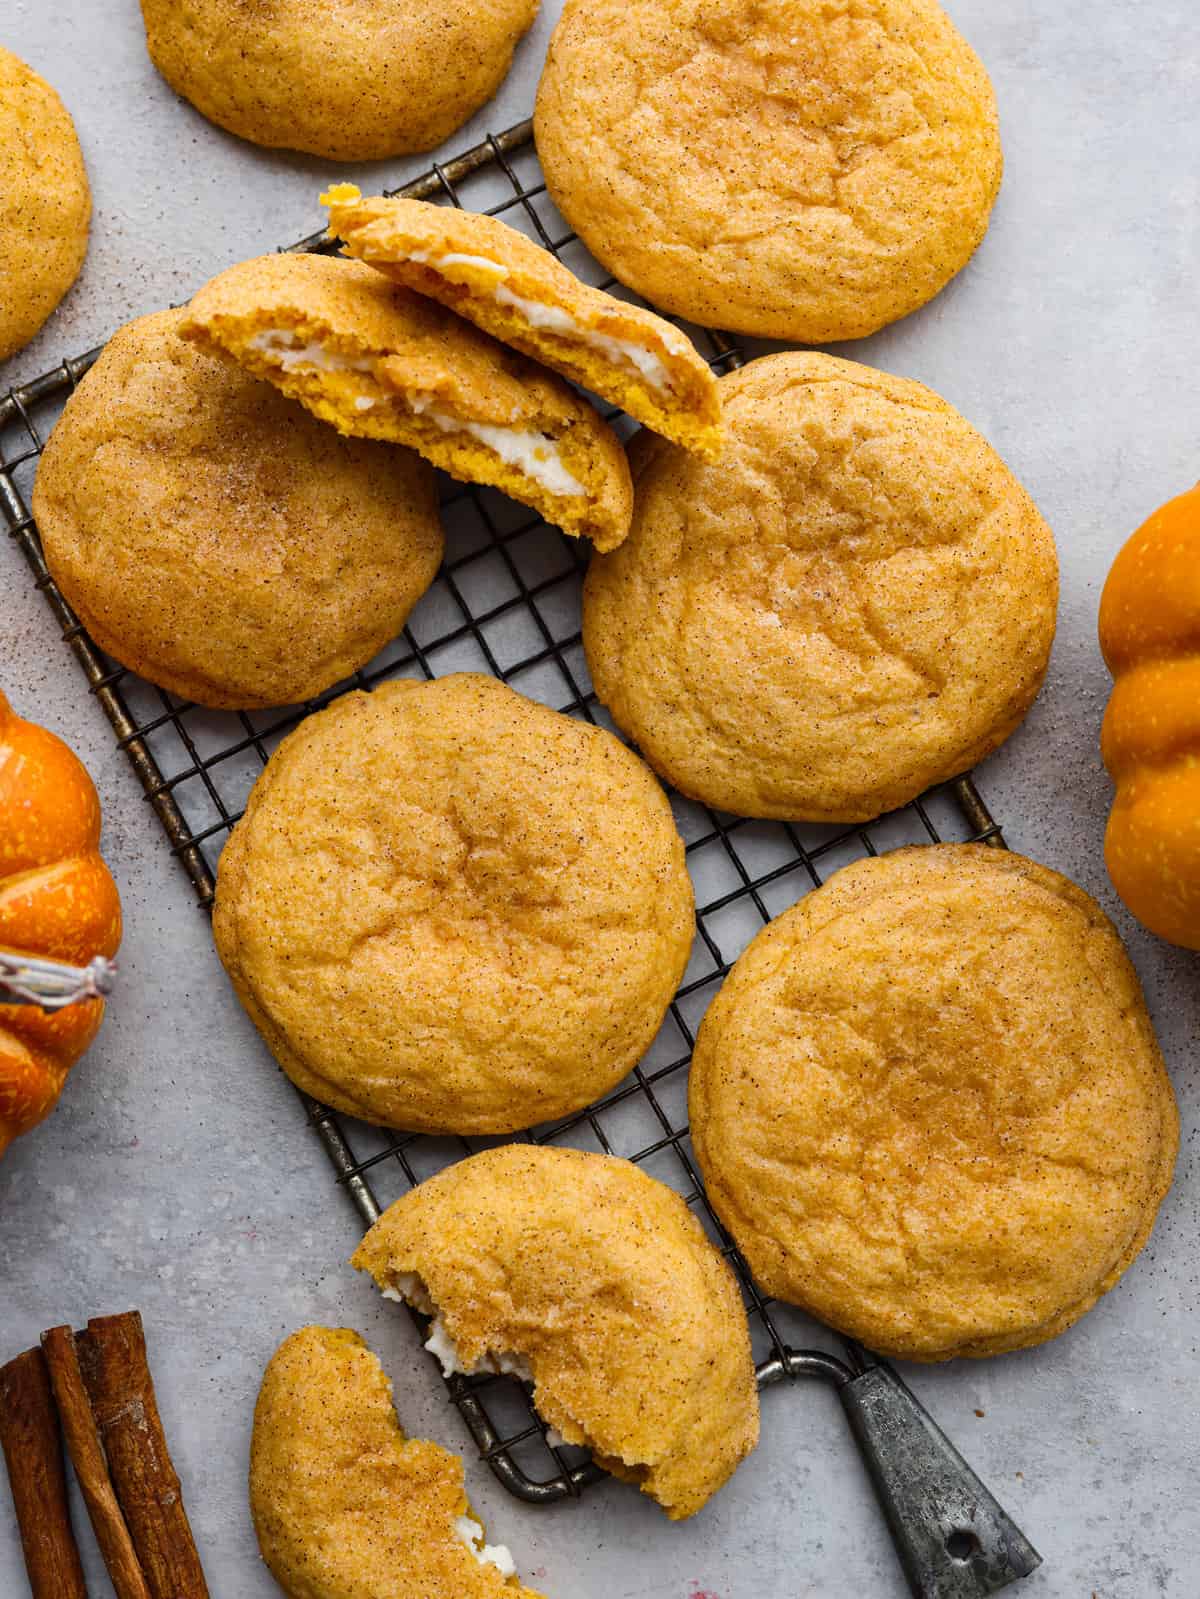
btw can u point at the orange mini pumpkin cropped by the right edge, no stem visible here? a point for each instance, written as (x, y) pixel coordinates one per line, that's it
(1150, 629)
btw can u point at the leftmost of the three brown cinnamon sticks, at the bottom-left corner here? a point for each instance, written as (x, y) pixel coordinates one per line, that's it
(33, 1445)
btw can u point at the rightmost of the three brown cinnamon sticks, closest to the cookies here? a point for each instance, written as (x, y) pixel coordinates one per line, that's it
(121, 1389)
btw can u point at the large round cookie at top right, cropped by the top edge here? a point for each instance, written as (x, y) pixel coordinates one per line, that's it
(806, 170)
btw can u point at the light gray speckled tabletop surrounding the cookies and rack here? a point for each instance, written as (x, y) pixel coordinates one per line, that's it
(177, 1173)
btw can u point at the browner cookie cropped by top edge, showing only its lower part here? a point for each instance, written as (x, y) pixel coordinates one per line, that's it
(337, 78)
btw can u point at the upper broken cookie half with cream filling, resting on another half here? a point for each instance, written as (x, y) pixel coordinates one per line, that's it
(519, 293)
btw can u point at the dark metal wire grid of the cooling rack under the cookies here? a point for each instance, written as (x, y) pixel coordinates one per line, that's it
(506, 602)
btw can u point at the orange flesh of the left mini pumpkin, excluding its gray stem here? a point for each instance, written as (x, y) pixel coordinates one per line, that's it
(58, 901)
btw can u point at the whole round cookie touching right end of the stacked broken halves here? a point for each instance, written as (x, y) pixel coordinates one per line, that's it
(855, 602)
